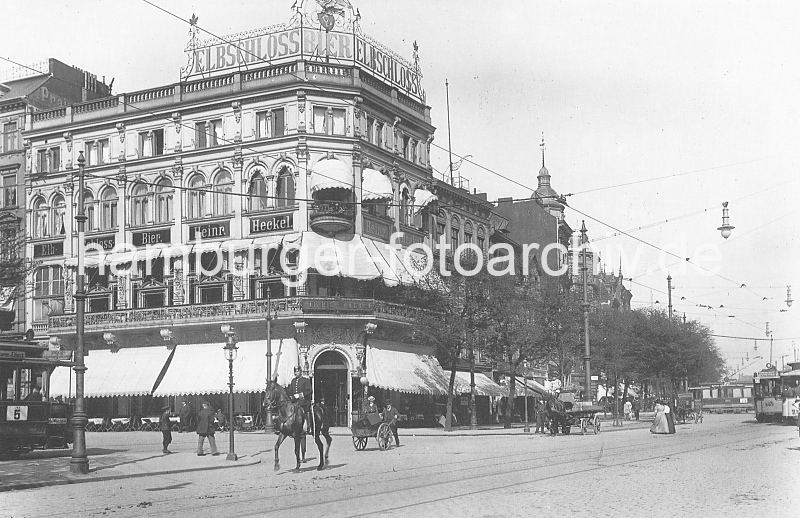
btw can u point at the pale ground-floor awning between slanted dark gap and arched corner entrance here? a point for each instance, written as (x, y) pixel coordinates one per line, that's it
(203, 369)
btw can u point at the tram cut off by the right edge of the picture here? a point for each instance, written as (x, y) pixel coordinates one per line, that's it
(777, 394)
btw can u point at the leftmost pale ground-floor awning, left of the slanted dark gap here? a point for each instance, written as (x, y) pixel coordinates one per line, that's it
(133, 371)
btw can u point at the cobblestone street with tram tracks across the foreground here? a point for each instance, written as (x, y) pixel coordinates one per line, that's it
(728, 465)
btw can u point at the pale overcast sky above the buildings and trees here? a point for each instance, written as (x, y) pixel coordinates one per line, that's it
(623, 91)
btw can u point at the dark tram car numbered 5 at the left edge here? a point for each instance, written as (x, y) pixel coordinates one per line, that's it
(28, 418)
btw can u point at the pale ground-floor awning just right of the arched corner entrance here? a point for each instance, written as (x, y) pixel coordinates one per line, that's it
(405, 368)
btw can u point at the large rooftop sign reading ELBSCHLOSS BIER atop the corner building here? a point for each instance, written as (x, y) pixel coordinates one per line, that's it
(309, 43)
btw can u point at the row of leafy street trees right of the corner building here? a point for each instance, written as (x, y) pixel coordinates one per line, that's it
(516, 321)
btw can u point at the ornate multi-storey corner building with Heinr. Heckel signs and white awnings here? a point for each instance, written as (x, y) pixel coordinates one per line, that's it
(307, 135)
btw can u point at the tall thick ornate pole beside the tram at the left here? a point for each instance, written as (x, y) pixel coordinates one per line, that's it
(79, 463)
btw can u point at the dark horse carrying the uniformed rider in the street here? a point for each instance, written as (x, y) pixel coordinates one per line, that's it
(292, 420)
